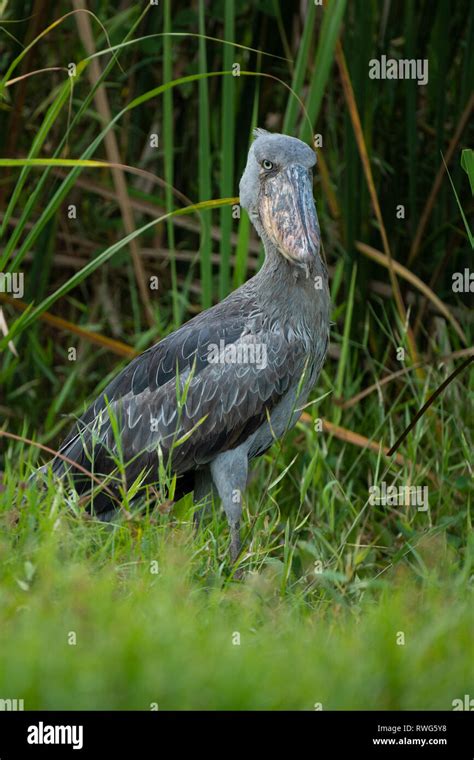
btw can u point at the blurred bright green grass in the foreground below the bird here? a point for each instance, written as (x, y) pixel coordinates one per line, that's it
(170, 637)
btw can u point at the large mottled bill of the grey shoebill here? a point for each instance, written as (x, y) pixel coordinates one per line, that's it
(288, 215)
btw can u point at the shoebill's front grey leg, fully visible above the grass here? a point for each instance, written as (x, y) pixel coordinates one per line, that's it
(229, 473)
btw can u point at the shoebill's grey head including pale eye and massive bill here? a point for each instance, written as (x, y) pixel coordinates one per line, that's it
(276, 189)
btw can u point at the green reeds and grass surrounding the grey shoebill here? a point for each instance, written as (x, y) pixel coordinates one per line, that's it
(88, 238)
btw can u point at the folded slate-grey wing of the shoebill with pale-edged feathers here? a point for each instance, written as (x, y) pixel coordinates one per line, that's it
(178, 397)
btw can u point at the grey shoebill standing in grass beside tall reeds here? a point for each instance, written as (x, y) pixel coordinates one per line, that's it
(216, 393)
